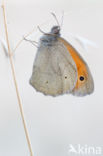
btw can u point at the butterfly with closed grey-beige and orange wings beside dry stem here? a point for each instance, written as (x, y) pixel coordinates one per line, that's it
(59, 69)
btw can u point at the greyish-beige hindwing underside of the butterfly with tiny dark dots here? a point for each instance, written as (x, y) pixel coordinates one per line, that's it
(54, 71)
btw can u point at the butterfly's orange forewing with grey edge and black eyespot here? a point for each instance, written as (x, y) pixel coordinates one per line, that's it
(85, 84)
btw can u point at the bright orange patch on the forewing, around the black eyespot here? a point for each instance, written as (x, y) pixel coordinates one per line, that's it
(80, 64)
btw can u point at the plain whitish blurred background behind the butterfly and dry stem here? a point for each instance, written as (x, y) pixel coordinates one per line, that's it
(53, 123)
